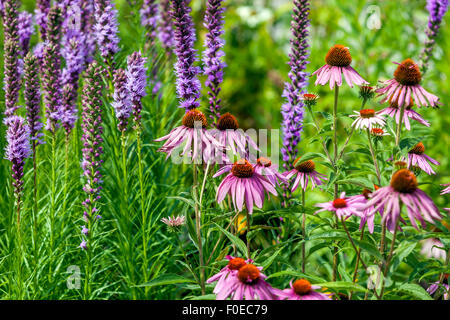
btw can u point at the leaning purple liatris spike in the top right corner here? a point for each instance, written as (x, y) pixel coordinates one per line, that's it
(437, 10)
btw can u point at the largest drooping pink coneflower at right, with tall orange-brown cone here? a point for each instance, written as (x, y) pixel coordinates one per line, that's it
(403, 190)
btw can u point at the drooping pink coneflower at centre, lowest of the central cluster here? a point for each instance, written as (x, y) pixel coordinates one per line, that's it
(243, 183)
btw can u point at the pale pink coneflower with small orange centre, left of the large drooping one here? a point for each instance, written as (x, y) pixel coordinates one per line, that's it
(343, 207)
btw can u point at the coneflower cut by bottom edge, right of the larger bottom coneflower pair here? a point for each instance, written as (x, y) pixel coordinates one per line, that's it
(302, 289)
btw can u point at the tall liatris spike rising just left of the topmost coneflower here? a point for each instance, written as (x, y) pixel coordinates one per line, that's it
(292, 110)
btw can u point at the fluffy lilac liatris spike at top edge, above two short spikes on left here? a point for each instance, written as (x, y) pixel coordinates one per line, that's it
(106, 28)
